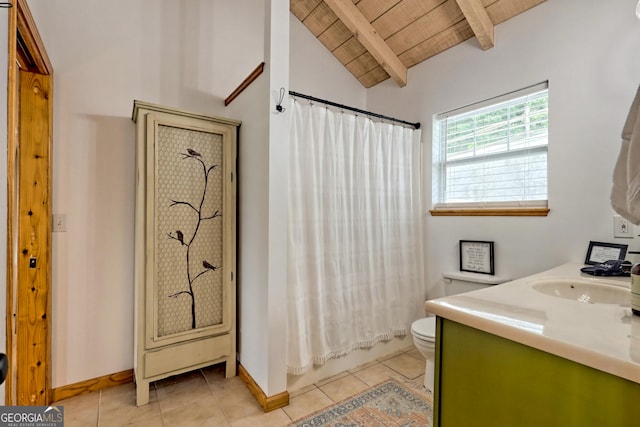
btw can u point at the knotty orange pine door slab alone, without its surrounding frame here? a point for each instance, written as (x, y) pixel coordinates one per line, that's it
(34, 236)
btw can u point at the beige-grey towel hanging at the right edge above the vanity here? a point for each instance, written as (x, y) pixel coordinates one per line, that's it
(625, 194)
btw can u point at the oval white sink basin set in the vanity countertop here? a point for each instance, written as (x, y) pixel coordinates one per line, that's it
(584, 291)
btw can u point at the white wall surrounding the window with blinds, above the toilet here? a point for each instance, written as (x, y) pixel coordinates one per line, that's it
(588, 50)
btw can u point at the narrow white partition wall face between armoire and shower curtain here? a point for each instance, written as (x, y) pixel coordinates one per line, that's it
(253, 226)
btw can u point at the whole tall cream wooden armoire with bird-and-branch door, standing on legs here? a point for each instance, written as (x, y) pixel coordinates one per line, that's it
(185, 250)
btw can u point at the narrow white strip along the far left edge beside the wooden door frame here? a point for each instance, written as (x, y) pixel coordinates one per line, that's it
(4, 33)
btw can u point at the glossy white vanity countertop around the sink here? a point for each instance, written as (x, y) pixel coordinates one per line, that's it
(603, 336)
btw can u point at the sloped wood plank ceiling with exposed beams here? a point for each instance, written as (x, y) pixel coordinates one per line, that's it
(378, 39)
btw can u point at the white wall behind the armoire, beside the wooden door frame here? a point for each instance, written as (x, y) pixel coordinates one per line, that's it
(182, 54)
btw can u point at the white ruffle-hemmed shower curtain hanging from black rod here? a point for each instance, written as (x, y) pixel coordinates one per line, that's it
(355, 240)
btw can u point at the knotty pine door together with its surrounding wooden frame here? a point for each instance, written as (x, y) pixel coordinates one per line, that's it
(29, 169)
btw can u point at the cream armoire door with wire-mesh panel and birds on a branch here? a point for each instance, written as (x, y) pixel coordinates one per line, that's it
(186, 212)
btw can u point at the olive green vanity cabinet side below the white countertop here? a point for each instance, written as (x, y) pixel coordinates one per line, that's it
(485, 380)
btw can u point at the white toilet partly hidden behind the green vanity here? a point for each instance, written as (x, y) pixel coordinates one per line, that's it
(424, 330)
